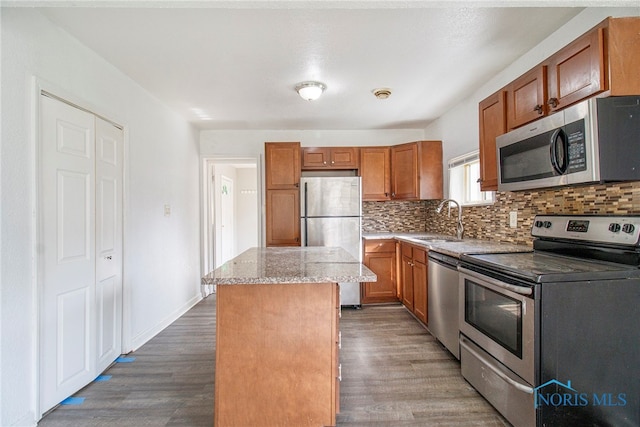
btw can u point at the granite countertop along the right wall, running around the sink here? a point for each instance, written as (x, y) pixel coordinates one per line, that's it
(451, 246)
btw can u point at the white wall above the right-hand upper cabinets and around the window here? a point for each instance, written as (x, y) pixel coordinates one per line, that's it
(459, 127)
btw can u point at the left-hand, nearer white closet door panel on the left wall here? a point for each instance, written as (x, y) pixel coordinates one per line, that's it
(67, 258)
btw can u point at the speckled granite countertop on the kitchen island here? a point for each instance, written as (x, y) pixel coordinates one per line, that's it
(290, 265)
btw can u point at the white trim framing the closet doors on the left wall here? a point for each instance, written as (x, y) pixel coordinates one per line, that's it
(38, 87)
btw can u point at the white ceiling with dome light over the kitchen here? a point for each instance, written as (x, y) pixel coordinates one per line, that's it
(238, 61)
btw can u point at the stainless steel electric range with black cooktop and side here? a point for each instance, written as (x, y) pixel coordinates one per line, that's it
(552, 337)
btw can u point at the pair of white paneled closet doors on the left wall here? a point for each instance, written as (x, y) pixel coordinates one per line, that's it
(80, 264)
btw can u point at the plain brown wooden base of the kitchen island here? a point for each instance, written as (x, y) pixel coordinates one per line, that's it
(276, 356)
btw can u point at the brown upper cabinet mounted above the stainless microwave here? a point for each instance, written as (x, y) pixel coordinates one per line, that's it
(606, 58)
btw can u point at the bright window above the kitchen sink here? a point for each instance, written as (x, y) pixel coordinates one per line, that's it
(464, 185)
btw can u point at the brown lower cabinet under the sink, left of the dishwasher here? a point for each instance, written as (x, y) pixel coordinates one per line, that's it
(413, 279)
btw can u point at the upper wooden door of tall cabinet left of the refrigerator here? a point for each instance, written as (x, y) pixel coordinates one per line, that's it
(282, 165)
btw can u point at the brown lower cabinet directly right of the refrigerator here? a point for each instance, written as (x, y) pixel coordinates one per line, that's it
(380, 257)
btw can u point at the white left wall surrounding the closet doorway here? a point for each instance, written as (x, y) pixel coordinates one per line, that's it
(161, 264)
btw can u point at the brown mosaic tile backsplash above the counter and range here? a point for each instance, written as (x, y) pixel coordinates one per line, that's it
(491, 222)
